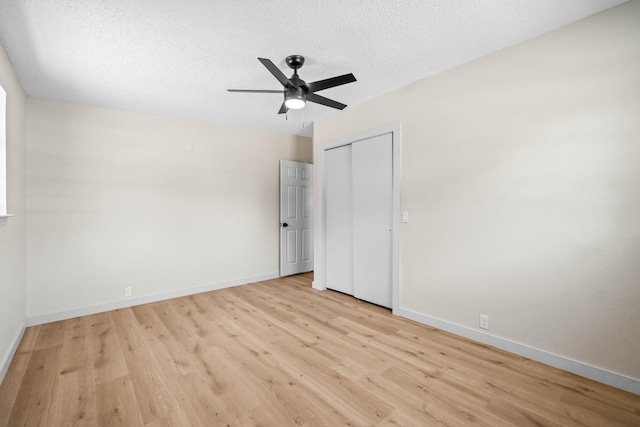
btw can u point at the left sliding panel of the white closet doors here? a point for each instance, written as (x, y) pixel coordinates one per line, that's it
(339, 220)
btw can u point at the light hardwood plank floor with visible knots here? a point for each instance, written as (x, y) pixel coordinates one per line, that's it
(279, 353)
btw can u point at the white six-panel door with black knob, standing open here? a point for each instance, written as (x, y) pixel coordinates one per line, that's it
(296, 217)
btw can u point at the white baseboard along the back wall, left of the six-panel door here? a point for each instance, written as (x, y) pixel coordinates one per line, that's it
(130, 302)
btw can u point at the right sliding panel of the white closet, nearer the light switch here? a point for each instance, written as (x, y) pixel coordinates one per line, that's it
(372, 174)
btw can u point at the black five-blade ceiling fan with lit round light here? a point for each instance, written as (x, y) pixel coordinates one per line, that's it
(296, 91)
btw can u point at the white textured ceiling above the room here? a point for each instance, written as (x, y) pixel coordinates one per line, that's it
(178, 57)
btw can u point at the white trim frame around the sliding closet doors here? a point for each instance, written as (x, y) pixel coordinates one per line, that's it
(320, 252)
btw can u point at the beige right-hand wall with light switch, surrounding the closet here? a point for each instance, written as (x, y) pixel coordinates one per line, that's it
(521, 173)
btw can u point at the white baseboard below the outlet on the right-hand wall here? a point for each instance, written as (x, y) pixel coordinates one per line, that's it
(592, 372)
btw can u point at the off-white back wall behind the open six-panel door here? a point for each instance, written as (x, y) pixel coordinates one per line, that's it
(118, 199)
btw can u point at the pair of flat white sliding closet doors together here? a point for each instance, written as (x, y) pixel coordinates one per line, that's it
(358, 215)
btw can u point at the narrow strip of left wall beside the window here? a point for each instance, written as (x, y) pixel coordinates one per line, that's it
(13, 235)
